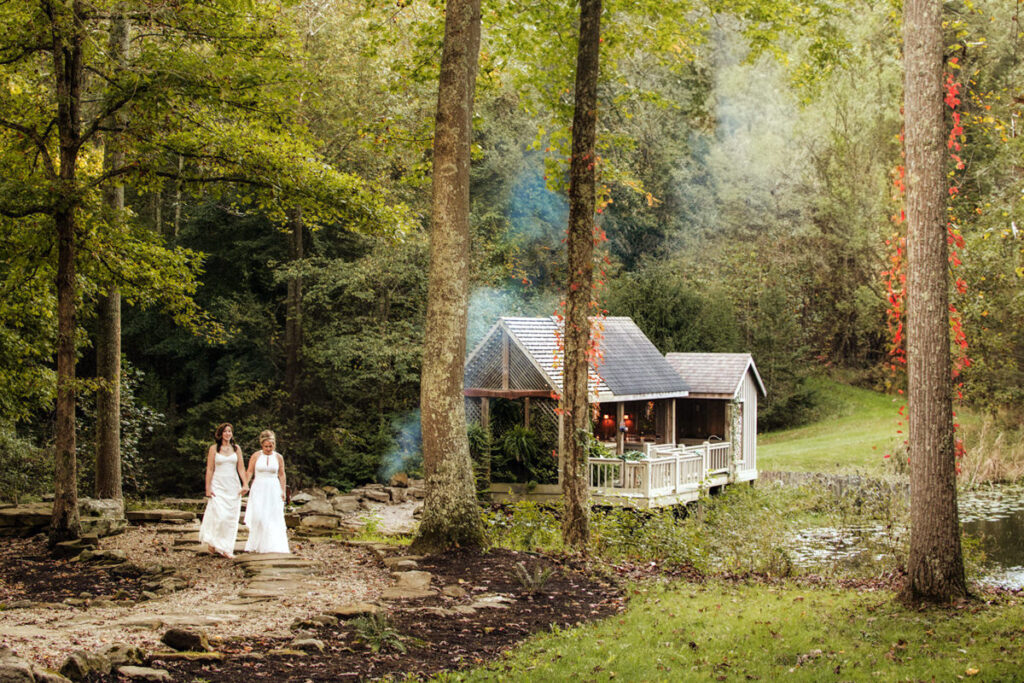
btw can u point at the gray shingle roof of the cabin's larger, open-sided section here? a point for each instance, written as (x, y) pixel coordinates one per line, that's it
(632, 366)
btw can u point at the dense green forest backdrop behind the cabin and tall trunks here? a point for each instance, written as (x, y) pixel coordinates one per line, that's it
(749, 167)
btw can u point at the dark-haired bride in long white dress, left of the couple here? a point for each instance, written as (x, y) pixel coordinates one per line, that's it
(224, 471)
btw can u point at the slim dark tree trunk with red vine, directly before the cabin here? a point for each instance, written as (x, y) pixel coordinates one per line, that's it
(576, 524)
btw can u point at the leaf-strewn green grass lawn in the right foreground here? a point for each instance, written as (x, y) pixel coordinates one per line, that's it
(727, 632)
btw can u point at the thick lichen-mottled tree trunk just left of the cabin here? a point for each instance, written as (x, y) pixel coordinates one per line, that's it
(451, 516)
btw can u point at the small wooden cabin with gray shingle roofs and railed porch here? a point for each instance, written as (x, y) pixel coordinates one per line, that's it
(668, 435)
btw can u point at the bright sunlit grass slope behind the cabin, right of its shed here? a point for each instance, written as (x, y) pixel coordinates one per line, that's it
(860, 429)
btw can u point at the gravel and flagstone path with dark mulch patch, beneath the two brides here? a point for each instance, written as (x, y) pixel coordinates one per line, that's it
(246, 597)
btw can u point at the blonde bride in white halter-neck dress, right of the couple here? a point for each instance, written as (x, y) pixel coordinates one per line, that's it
(266, 509)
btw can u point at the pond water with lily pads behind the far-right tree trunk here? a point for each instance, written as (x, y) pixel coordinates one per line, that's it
(996, 517)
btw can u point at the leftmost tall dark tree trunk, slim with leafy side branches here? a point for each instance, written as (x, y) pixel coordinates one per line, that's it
(68, 73)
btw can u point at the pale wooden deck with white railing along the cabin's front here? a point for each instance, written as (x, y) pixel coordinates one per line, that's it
(669, 476)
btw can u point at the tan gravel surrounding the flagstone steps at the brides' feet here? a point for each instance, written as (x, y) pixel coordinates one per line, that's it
(339, 575)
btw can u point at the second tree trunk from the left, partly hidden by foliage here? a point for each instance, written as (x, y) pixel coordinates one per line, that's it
(109, 339)
